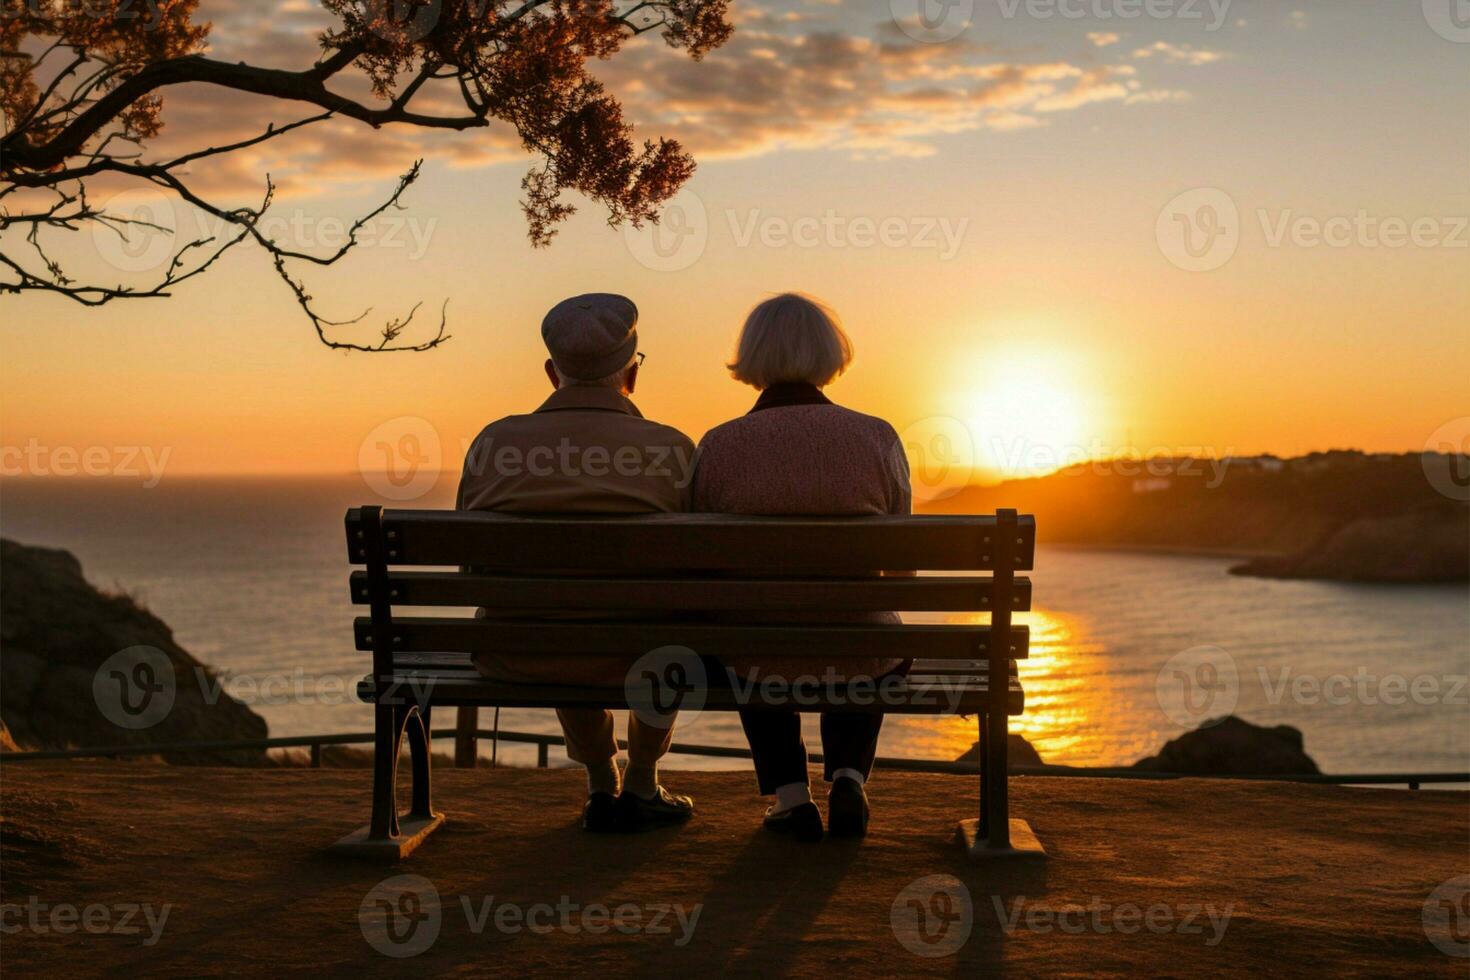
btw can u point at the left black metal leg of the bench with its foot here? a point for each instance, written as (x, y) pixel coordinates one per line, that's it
(389, 838)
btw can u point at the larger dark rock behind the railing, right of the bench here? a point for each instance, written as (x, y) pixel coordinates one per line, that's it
(1236, 747)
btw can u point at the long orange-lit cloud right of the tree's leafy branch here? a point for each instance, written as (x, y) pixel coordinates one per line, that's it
(774, 90)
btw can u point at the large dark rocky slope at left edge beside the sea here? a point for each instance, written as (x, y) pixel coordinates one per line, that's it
(80, 668)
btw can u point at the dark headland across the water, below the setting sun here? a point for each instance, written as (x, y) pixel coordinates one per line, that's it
(1341, 515)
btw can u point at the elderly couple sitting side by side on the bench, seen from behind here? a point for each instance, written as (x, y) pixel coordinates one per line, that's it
(793, 453)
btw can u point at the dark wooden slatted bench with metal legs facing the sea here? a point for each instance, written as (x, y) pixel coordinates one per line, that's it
(670, 578)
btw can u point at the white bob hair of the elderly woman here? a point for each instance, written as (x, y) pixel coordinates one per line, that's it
(792, 339)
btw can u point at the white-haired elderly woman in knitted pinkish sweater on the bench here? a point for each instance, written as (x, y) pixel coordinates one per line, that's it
(797, 453)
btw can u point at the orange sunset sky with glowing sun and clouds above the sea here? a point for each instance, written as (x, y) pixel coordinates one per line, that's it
(999, 218)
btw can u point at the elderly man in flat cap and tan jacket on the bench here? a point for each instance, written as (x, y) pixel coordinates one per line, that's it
(587, 450)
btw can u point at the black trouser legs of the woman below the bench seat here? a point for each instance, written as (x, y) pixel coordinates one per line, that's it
(849, 741)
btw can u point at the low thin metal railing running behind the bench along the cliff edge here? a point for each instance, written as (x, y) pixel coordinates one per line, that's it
(545, 743)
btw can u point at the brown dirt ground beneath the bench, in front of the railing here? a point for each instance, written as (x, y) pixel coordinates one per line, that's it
(226, 876)
